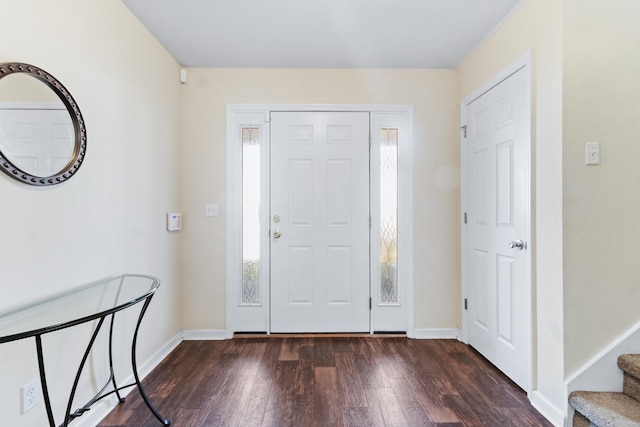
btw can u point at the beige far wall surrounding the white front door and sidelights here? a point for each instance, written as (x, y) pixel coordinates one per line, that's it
(433, 94)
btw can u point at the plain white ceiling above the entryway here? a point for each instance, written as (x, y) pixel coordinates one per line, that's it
(321, 33)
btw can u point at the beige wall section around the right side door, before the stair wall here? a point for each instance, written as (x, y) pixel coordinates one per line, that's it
(537, 27)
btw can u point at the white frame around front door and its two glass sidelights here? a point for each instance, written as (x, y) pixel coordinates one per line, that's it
(255, 317)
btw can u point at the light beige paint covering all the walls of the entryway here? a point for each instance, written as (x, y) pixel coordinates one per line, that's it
(156, 146)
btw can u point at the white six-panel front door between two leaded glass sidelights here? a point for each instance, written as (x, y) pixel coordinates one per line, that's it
(319, 222)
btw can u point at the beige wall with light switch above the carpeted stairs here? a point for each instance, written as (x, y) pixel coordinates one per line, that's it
(601, 203)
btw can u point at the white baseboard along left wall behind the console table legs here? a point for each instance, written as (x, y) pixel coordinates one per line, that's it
(102, 408)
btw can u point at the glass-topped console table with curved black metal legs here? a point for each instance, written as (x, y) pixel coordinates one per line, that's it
(96, 301)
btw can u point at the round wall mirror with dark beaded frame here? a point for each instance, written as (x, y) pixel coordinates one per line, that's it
(42, 133)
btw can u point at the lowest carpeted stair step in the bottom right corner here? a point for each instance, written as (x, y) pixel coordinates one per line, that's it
(607, 409)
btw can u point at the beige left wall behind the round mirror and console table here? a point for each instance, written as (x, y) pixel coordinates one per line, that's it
(110, 217)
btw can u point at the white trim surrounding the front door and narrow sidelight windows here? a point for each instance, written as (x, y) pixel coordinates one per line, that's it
(242, 115)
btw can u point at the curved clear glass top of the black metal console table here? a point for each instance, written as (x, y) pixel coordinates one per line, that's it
(76, 306)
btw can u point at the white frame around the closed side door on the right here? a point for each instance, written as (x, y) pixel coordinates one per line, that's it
(523, 63)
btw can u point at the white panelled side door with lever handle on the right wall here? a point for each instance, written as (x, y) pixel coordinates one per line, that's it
(497, 263)
